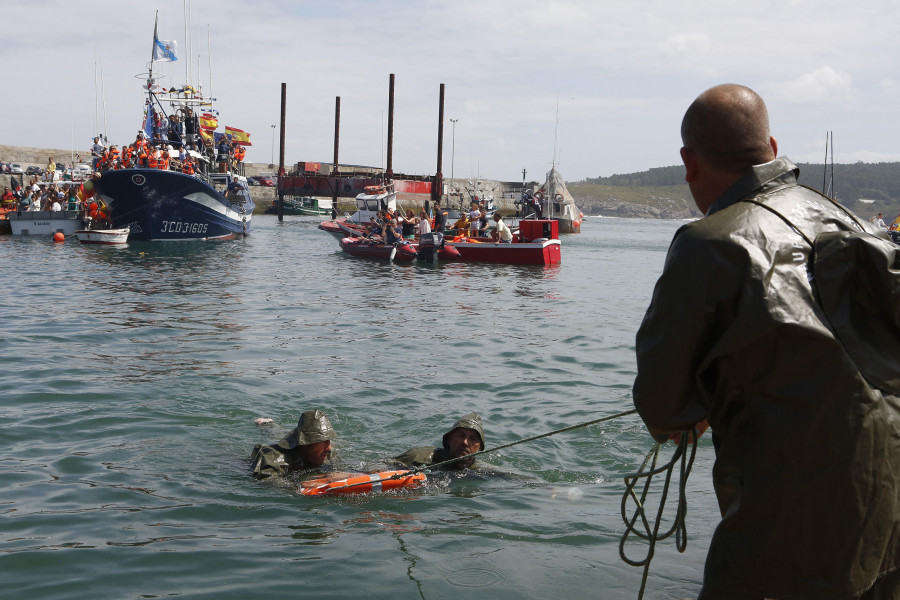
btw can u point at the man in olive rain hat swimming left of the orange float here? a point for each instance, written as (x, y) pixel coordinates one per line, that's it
(307, 446)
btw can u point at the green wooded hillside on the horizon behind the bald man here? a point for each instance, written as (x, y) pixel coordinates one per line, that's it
(866, 188)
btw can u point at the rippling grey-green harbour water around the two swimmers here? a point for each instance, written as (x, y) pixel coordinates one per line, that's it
(132, 377)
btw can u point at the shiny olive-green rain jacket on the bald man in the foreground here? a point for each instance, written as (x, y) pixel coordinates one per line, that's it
(807, 469)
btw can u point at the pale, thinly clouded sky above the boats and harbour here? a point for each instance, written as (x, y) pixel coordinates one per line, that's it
(597, 86)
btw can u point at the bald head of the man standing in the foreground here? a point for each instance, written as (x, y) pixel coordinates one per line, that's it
(728, 127)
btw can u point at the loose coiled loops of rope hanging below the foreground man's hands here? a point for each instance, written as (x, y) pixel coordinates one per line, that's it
(648, 533)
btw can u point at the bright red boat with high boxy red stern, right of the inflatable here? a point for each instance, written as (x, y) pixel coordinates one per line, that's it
(537, 243)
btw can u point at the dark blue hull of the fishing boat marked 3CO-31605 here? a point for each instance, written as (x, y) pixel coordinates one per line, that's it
(168, 206)
